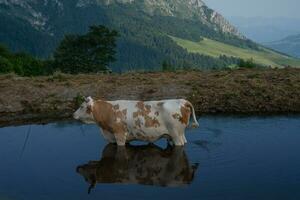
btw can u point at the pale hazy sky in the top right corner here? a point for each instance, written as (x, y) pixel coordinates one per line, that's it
(254, 8)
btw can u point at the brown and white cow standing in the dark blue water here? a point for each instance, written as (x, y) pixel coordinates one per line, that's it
(123, 121)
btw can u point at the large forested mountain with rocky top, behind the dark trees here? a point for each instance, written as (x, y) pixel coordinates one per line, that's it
(147, 29)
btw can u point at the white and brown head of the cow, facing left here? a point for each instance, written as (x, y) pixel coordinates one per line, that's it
(84, 112)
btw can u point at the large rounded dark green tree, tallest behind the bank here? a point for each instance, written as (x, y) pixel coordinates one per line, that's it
(89, 53)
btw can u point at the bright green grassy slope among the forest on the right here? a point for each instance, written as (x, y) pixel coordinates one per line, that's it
(215, 49)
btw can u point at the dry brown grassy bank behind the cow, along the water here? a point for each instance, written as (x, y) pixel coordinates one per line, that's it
(241, 92)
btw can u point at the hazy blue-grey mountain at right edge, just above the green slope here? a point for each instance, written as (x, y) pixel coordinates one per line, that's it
(289, 45)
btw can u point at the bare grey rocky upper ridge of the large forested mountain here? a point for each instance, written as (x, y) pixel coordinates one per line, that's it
(32, 11)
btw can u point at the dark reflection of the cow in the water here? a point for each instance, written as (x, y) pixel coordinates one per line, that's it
(146, 165)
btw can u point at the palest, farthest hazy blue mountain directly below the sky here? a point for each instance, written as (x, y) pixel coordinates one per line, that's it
(263, 29)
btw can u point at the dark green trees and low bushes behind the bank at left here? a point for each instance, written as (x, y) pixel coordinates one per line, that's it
(89, 53)
